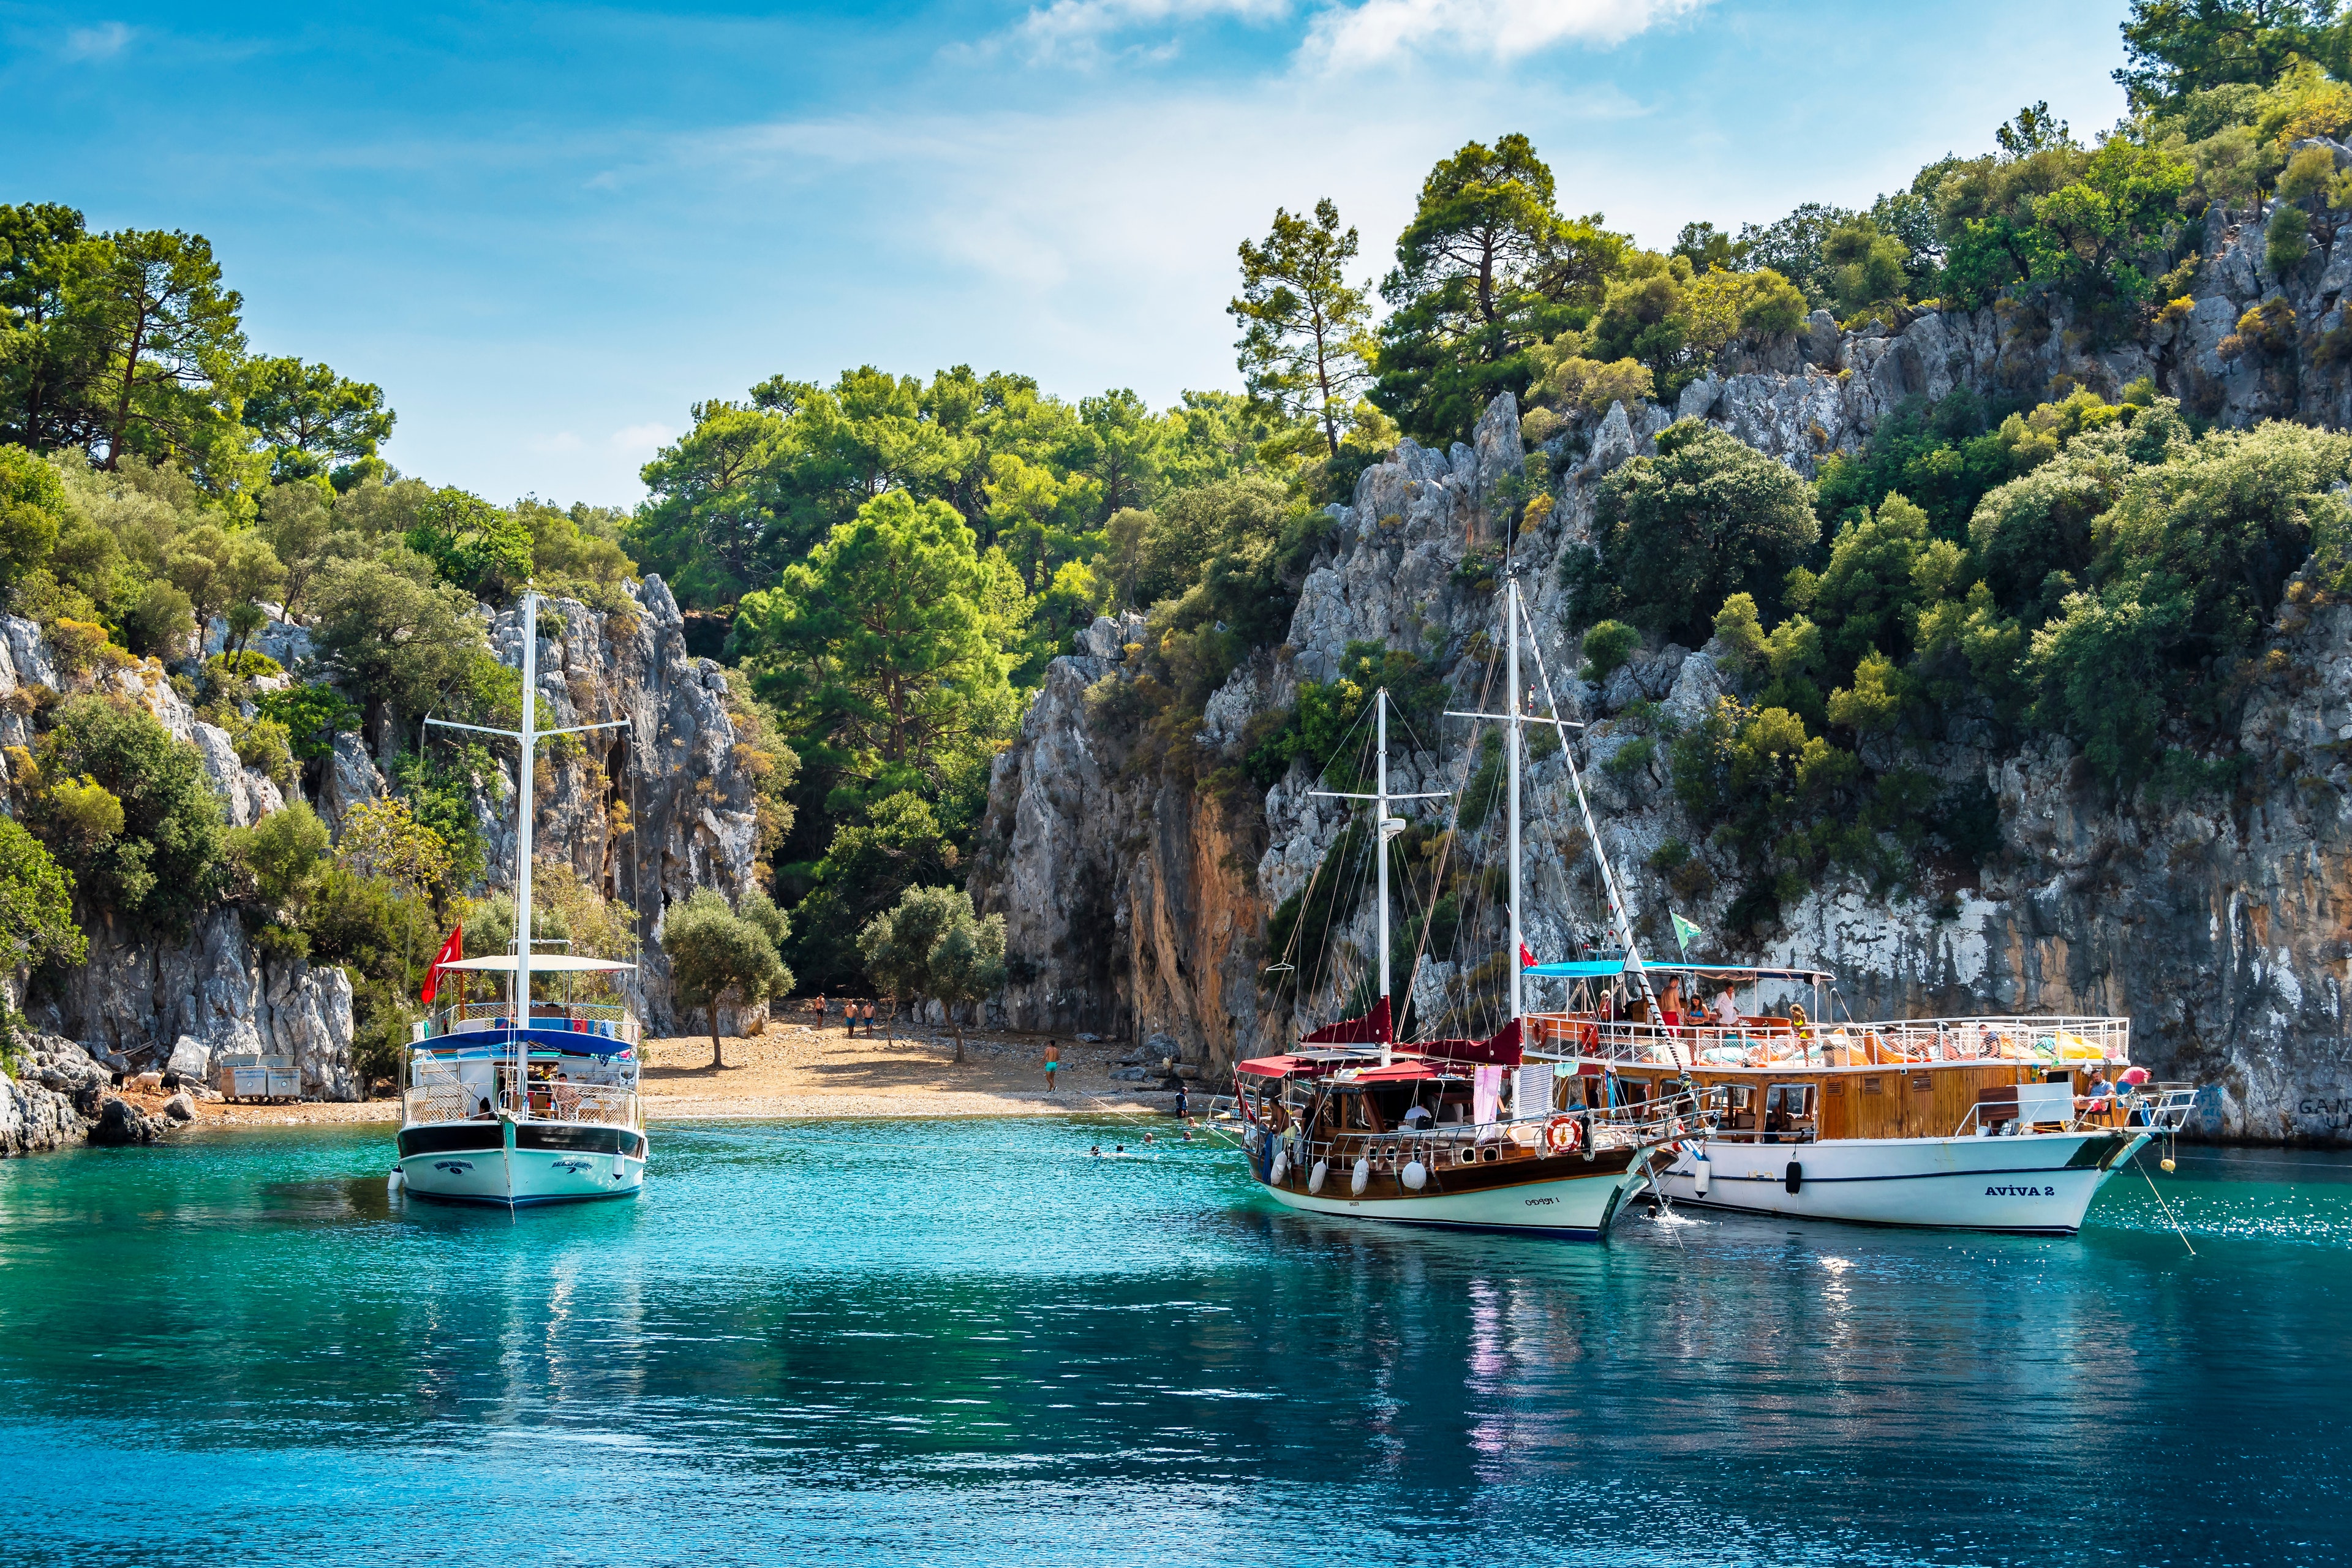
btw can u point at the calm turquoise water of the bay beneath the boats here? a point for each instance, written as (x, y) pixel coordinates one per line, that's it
(907, 1343)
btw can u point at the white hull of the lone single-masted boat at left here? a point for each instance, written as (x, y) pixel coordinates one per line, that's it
(521, 1165)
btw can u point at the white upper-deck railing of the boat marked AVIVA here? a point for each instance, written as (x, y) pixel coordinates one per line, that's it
(1784, 1043)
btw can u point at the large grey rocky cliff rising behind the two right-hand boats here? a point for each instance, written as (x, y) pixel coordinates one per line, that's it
(1140, 906)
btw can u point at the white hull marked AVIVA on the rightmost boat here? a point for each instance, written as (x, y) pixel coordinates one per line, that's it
(2038, 1184)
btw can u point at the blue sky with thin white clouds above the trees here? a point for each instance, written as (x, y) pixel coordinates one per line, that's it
(549, 229)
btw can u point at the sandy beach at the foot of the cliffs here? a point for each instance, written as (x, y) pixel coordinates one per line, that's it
(791, 1071)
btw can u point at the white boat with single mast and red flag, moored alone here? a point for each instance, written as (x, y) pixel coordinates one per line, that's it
(523, 1099)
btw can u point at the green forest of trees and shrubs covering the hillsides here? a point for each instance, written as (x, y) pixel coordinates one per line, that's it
(890, 561)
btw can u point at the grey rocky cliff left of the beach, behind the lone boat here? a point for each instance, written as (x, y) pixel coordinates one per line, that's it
(643, 815)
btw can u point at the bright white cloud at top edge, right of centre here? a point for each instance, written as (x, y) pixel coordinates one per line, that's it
(1377, 32)
